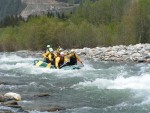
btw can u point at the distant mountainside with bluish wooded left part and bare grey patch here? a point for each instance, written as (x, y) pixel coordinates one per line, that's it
(34, 7)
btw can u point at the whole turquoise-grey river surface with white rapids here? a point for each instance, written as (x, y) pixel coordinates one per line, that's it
(99, 87)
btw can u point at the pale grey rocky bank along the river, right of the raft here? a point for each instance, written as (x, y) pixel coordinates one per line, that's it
(131, 53)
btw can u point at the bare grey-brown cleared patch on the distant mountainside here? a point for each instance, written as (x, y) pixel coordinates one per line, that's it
(38, 7)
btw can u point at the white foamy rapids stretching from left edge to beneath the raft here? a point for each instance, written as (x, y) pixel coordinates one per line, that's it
(25, 65)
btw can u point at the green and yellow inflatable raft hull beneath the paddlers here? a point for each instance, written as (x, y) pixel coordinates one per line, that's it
(43, 64)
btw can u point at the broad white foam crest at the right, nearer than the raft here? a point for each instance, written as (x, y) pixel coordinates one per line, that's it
(134, 82)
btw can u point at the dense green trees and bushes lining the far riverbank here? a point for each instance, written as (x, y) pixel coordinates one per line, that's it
(94, 23)
